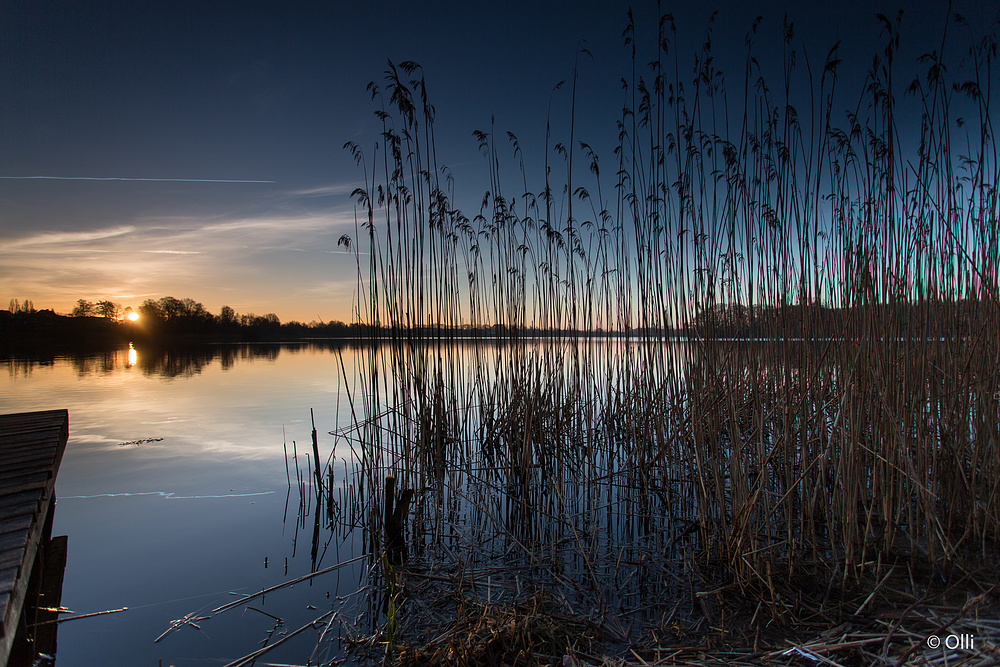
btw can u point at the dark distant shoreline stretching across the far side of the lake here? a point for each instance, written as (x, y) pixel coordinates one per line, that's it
(40, 330)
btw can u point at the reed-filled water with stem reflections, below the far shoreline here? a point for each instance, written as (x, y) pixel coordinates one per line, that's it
(618, 478)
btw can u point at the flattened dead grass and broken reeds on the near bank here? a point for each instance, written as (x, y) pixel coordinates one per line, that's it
(444, 621)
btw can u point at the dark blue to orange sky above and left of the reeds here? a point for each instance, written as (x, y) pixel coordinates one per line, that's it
(195, 149)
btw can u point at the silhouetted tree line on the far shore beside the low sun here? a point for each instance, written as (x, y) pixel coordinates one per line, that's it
(171, 320)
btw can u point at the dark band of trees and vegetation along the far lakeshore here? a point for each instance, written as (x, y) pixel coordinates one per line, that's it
(23, 328)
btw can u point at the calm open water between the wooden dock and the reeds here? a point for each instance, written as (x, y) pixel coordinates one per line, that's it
(174, 495)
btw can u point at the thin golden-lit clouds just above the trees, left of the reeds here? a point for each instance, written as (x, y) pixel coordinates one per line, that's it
(257, 263)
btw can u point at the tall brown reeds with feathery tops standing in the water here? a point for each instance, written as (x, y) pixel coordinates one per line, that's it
(752, 381)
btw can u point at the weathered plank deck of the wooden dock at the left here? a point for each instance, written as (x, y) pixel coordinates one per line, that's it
(31, 448)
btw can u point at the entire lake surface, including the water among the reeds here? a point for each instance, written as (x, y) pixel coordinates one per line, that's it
(614, 492)
